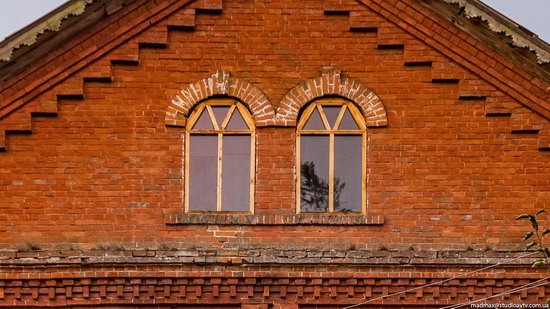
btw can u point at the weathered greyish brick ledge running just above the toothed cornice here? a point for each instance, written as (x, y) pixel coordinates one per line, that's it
(263, 254)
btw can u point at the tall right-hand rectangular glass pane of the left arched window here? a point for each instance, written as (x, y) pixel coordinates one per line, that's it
(236, 173)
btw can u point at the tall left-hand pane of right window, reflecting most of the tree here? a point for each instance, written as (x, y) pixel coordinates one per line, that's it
(314, 173)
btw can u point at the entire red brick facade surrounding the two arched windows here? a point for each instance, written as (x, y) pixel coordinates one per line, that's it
(91, 179)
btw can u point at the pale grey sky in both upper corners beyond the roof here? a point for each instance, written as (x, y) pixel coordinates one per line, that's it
(532, 14)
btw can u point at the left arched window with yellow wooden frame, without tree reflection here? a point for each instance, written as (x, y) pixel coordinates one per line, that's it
(219, 157)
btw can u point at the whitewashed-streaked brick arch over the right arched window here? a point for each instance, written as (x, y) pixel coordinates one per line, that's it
(331, 83)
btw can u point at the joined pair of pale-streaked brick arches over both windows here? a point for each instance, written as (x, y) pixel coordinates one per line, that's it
(329, 83)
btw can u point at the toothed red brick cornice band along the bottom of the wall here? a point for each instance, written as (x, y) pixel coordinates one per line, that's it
(151, 285)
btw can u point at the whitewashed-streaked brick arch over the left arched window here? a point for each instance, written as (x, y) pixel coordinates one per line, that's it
(220, 83)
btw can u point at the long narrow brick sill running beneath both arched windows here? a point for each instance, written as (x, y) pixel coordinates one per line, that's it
(181, 218)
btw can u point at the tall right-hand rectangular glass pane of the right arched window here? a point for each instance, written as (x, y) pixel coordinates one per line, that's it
(347, 173)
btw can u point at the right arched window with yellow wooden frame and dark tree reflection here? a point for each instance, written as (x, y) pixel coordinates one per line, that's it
(331, 152)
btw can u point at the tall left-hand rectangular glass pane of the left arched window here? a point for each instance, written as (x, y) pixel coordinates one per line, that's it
(203, 172)
